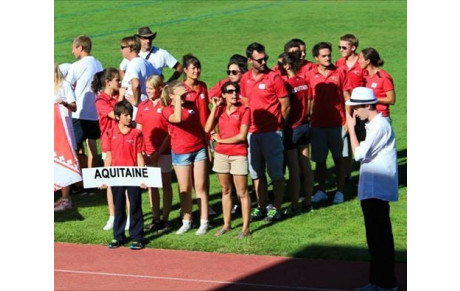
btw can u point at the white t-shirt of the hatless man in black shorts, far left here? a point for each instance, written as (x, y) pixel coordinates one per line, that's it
(80, 76)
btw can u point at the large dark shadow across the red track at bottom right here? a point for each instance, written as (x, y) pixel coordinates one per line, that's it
(316, 274)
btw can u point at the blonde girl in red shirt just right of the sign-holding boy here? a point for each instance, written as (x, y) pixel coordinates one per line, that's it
(157, 150)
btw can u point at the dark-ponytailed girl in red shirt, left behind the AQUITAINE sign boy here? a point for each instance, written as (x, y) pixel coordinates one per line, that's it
(106, 84)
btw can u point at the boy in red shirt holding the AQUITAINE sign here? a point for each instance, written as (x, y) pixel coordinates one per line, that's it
(124, 148)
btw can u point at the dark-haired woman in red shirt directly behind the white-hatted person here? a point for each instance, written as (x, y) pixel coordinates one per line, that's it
(378, 80)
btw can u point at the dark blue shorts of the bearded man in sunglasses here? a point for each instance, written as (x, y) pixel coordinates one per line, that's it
(266, 149)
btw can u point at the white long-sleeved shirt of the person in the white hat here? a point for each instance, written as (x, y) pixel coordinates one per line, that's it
(379, 166)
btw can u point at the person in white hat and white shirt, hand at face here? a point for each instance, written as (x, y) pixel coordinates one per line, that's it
(378, 185)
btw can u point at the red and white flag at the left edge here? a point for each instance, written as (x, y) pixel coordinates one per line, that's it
(66, 167)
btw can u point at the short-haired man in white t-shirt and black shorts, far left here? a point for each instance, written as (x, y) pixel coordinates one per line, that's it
(80, 76)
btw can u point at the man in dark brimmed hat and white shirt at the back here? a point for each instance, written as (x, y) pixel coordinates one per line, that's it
(158, 57)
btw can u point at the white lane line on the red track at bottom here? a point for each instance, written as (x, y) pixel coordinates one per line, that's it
(189, 280)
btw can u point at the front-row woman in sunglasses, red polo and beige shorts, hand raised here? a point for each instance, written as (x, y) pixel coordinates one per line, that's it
(230, 160)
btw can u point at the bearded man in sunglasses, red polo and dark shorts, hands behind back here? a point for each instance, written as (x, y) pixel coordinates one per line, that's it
(269, 102)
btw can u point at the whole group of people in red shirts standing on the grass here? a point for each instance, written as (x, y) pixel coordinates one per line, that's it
(259, 119)
